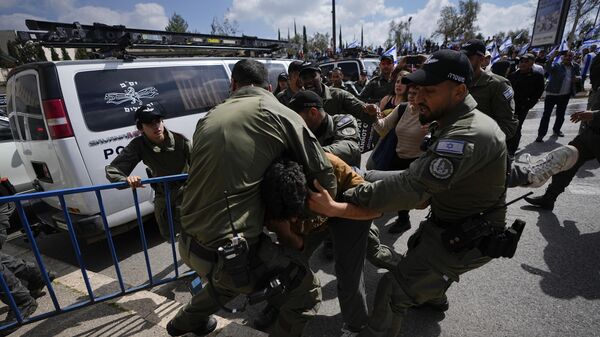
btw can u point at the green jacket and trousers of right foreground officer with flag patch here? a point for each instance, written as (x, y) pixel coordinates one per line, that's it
(462, 173)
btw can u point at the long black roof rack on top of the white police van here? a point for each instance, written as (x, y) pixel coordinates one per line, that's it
(123, 42)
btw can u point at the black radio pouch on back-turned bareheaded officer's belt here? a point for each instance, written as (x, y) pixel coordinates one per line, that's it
(235, 260)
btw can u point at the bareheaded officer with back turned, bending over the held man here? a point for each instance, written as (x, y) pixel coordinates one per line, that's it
(233, 147)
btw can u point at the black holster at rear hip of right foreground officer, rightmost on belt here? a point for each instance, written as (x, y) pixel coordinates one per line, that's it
(503, 244)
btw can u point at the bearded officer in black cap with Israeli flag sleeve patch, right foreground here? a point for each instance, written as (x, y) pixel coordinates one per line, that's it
(459, 177)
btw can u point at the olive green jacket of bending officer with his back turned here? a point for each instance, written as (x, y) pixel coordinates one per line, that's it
(233, 147)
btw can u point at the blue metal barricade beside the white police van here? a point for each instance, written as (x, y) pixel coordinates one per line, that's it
(123, 290)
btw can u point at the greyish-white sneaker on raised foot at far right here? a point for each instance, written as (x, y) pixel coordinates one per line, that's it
(555, 161)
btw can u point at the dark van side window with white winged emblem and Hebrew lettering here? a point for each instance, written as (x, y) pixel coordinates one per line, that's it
(109, 98)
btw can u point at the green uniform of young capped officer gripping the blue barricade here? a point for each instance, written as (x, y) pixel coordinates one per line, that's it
(170, 158)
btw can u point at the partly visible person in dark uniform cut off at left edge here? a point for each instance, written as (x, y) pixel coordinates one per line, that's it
(24, 279)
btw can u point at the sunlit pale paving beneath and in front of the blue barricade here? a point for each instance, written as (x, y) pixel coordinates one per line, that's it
(139, 314)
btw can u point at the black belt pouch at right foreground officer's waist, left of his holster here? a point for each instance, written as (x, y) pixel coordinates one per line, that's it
(466, 235)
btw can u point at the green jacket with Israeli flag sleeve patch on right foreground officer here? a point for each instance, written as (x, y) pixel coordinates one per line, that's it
(463, 171)
